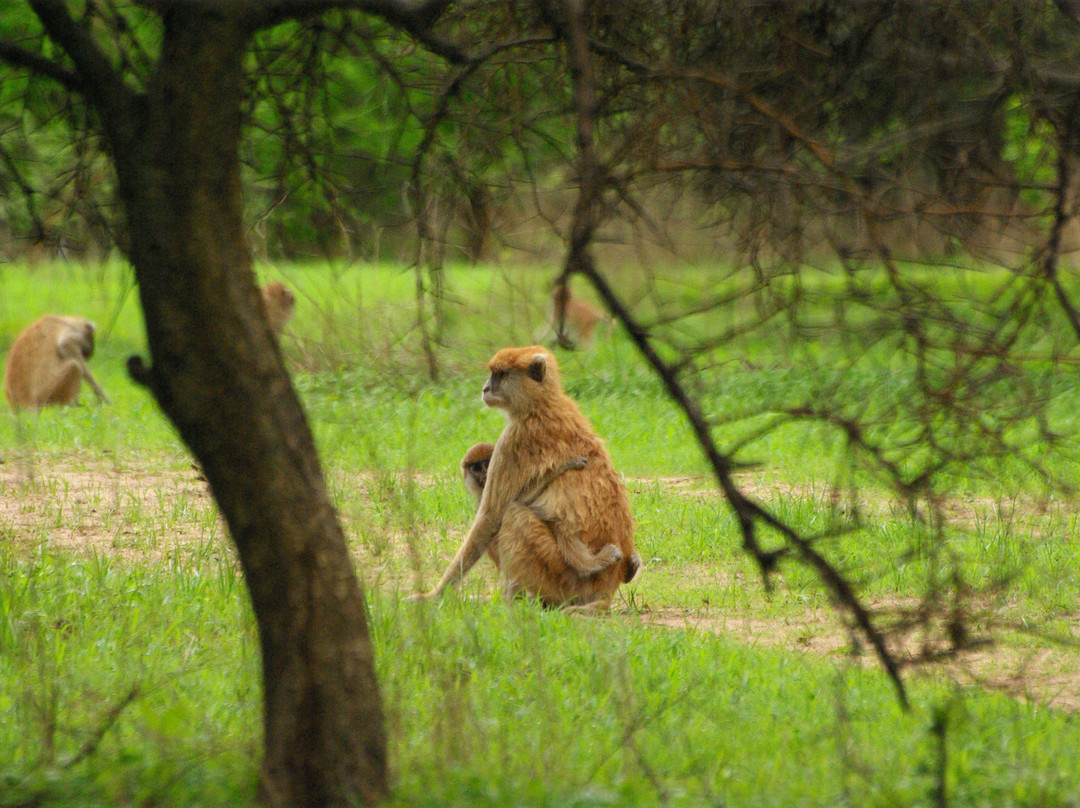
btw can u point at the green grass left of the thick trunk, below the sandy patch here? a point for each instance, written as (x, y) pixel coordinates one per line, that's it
(158, 661)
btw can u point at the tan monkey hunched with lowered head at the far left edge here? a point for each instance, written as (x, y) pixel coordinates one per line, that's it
(48, 363)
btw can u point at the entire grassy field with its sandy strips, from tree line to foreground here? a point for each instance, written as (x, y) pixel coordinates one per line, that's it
(703, 690)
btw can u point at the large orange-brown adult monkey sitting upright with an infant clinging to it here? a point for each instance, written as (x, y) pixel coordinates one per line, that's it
(545, 432)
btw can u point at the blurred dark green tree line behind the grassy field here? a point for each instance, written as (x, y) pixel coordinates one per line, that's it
(949, 115)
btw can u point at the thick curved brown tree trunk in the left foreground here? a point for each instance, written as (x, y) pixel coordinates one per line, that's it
(219, 376)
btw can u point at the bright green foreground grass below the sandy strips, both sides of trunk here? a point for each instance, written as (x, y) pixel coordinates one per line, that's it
(485, 706)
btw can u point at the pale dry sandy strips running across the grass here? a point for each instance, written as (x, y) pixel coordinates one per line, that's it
(147, 514)
